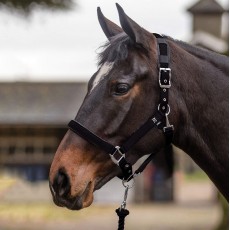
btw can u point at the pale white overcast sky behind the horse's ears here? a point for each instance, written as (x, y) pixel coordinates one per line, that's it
(63, 46)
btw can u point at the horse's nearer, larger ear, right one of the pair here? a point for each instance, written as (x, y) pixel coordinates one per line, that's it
(131, 28)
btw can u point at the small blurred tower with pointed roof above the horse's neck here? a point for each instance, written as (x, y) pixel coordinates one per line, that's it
(210, 29)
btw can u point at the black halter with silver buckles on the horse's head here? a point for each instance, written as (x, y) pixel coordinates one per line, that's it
(159, 120)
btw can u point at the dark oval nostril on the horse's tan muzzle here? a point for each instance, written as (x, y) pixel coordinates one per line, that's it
(61, 184)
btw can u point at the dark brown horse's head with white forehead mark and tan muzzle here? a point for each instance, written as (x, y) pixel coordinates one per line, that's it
(121, 96)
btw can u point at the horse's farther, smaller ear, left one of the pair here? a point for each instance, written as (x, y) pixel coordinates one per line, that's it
(110, 29)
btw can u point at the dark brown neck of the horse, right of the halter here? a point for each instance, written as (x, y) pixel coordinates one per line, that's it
(200, 99)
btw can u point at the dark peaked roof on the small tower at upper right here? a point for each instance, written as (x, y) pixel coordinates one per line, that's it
(206, 7)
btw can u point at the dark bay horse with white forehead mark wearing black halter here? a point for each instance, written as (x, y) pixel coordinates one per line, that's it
(124, 93)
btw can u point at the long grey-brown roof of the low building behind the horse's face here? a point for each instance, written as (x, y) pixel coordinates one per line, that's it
(40, 103)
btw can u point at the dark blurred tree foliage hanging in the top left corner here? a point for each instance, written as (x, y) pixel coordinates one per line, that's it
(26, 7)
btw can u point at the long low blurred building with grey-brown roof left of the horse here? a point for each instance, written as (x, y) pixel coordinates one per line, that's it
(32, 123)
